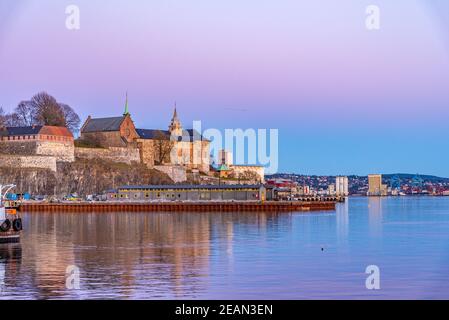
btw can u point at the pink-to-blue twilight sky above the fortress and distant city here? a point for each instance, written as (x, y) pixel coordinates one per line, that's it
(345, 100)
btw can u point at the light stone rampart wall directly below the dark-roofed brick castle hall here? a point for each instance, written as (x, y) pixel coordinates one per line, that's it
(114, 154)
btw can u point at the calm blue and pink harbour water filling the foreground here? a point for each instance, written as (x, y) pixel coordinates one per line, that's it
(242, 256)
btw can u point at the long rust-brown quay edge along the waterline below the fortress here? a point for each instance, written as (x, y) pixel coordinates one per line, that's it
(269, 206)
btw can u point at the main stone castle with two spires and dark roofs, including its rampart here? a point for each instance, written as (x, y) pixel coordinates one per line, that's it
(173, 151)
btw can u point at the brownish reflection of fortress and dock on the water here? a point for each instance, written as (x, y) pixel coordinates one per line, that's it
(130, 255)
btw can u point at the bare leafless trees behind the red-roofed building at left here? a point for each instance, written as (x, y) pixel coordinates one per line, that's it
(42, 109)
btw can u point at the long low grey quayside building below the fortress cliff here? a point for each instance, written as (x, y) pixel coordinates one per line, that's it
(188, 193)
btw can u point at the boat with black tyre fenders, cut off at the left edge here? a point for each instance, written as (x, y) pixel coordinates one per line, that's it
(10, 220)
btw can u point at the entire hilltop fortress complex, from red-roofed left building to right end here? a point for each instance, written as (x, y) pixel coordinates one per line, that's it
(175, 152)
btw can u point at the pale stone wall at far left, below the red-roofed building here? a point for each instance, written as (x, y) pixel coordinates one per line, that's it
(17, 161)
